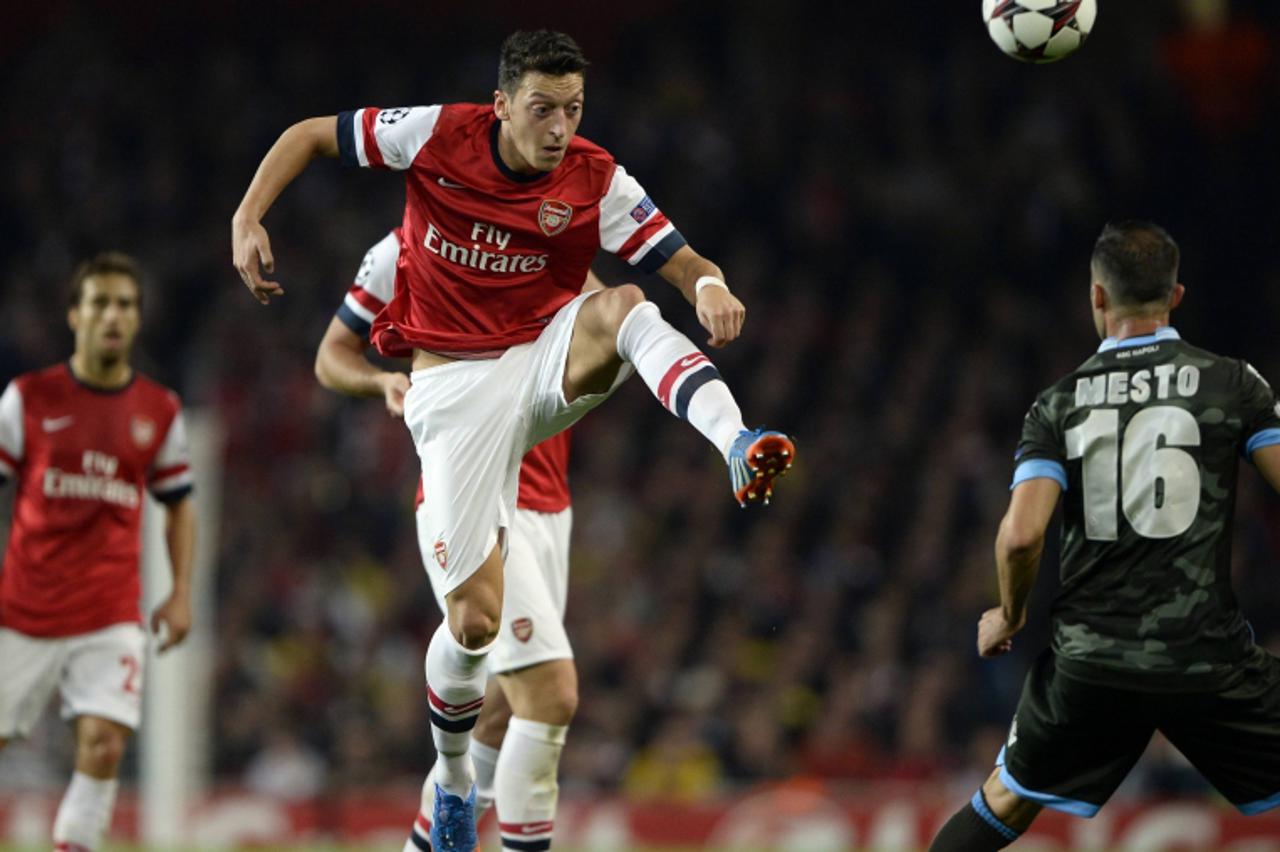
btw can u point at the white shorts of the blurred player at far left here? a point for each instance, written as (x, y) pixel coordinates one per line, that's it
(98, 675)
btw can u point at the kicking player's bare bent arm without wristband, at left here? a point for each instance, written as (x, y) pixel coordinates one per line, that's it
(252, 248)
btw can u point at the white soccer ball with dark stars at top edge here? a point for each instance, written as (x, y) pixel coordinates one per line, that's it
(1039, 31)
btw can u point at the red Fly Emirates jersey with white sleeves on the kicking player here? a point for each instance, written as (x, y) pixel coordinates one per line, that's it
(491, 255)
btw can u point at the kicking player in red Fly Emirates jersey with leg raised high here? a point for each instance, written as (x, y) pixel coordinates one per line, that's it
(506, 209)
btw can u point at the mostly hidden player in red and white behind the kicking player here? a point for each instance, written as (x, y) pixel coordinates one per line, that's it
(531, 703)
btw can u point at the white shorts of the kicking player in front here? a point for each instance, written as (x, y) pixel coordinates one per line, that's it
(473, 423)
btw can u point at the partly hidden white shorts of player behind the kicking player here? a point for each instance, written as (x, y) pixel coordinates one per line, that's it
(536, 587)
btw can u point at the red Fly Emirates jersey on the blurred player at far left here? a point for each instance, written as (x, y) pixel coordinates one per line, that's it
(81, 457)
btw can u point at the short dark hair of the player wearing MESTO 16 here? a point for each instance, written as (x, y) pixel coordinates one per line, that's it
(1137, 262)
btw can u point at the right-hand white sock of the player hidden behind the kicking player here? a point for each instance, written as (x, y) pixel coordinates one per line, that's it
(527, 785)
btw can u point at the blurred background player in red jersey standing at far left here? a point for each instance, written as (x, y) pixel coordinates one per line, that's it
(83, 441)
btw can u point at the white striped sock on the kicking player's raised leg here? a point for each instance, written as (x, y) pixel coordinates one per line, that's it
(680, 375)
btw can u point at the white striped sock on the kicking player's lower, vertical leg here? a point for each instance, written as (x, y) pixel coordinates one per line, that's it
(456, 681)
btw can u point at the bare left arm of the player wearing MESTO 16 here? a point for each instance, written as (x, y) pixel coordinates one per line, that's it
(1018, 552)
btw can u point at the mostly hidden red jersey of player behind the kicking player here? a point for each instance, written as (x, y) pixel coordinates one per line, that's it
(545, 474)
